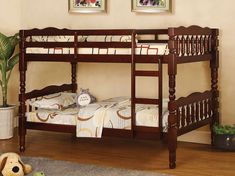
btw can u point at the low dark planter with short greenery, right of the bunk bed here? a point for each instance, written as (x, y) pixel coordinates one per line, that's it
(224, 137)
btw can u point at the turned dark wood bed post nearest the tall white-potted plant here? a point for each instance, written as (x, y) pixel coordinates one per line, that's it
(22, 107)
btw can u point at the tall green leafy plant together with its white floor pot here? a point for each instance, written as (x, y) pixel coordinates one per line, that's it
(7, 62)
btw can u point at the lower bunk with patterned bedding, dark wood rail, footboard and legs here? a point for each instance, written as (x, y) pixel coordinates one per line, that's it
(189, 113)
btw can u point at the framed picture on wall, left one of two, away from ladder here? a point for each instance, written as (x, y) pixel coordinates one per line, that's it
(87, 6)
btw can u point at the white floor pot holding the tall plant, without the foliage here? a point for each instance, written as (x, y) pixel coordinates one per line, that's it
(6, 122)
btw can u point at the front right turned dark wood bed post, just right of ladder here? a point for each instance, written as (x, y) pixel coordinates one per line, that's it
(172, 119)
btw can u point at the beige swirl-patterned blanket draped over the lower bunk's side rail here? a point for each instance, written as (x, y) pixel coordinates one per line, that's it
(115, 113)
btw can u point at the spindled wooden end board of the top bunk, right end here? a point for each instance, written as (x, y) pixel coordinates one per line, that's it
(192, 44)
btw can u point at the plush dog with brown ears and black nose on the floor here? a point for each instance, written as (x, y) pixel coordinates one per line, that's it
(11, 165)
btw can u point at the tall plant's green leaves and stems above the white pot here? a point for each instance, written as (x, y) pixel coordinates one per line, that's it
(7, 62)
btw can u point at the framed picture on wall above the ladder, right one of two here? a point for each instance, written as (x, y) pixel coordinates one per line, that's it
(151, 6)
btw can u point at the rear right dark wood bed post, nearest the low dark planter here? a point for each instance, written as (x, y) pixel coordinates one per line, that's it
(214, 64)
